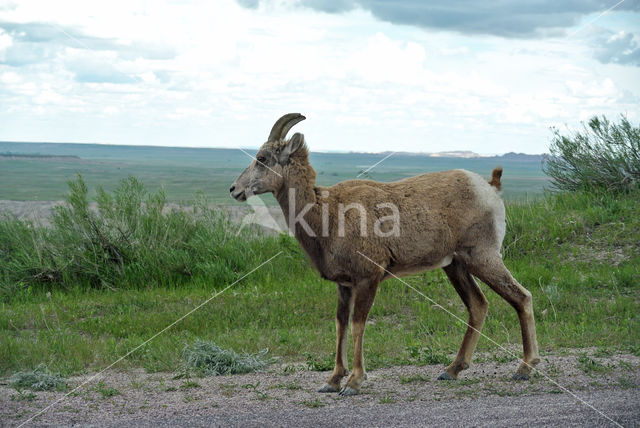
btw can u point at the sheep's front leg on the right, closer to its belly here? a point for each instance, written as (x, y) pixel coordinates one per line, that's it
(363, 300)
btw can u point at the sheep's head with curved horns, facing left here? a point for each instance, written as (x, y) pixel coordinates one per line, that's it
(265, 173)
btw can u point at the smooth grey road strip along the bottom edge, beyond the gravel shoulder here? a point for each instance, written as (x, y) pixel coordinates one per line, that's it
(538, 410)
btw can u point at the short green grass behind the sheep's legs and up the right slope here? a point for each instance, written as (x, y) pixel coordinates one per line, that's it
(577, 253)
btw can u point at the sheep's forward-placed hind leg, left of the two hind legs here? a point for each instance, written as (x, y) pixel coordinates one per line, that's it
(477, 305)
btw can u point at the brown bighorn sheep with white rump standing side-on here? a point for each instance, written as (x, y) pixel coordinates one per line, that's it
(358, 233)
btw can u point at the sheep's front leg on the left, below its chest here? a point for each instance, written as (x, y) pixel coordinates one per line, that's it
(345, 304)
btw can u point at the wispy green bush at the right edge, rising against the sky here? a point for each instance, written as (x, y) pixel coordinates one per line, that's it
(603, 155)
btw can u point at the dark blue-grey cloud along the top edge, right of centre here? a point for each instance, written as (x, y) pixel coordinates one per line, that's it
(504, 18)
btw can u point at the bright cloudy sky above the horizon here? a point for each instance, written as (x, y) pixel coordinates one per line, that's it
(369, 75)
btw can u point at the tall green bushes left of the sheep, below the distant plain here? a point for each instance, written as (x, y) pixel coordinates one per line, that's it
(132, 239)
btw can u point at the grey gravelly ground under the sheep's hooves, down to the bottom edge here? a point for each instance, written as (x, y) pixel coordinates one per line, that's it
(407, 396)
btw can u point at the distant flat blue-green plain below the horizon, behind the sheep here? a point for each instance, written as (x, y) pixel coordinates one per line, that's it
(185, 172)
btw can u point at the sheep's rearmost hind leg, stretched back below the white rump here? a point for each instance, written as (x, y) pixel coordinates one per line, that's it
(494, 273)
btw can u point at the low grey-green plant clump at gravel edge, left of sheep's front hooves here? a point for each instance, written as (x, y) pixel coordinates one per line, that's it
(209, 359)
